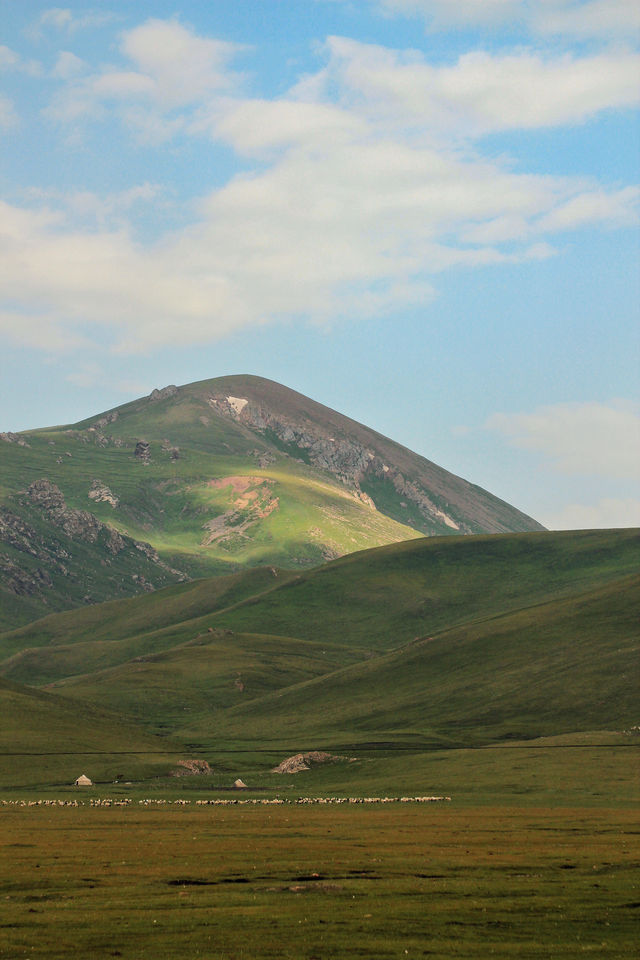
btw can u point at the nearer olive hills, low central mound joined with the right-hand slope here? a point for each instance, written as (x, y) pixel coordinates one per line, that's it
(556, 667)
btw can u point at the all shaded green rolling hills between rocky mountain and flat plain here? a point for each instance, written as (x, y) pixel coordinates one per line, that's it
(433, 642)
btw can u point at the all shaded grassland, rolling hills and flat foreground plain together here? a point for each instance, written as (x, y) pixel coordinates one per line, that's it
(535, 856)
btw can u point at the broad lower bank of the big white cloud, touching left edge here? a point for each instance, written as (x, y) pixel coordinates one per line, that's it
(348, 228)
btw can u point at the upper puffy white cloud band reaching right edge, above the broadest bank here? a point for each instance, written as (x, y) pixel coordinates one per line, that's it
(171, 70)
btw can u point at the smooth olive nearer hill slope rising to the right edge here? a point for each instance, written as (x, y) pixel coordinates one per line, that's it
(564, 666)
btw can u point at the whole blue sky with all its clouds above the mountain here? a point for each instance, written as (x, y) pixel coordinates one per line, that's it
(422, 213)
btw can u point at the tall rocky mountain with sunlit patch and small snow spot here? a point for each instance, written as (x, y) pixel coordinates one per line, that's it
(211, 478)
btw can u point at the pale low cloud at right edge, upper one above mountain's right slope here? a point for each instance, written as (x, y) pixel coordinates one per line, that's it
(589, 439)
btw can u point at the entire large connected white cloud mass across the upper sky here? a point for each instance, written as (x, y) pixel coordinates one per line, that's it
(365, 189)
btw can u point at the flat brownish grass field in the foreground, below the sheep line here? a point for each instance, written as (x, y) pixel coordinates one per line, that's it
(409, 880)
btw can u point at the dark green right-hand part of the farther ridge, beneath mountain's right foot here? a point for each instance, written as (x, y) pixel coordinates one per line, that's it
(385, 597)
